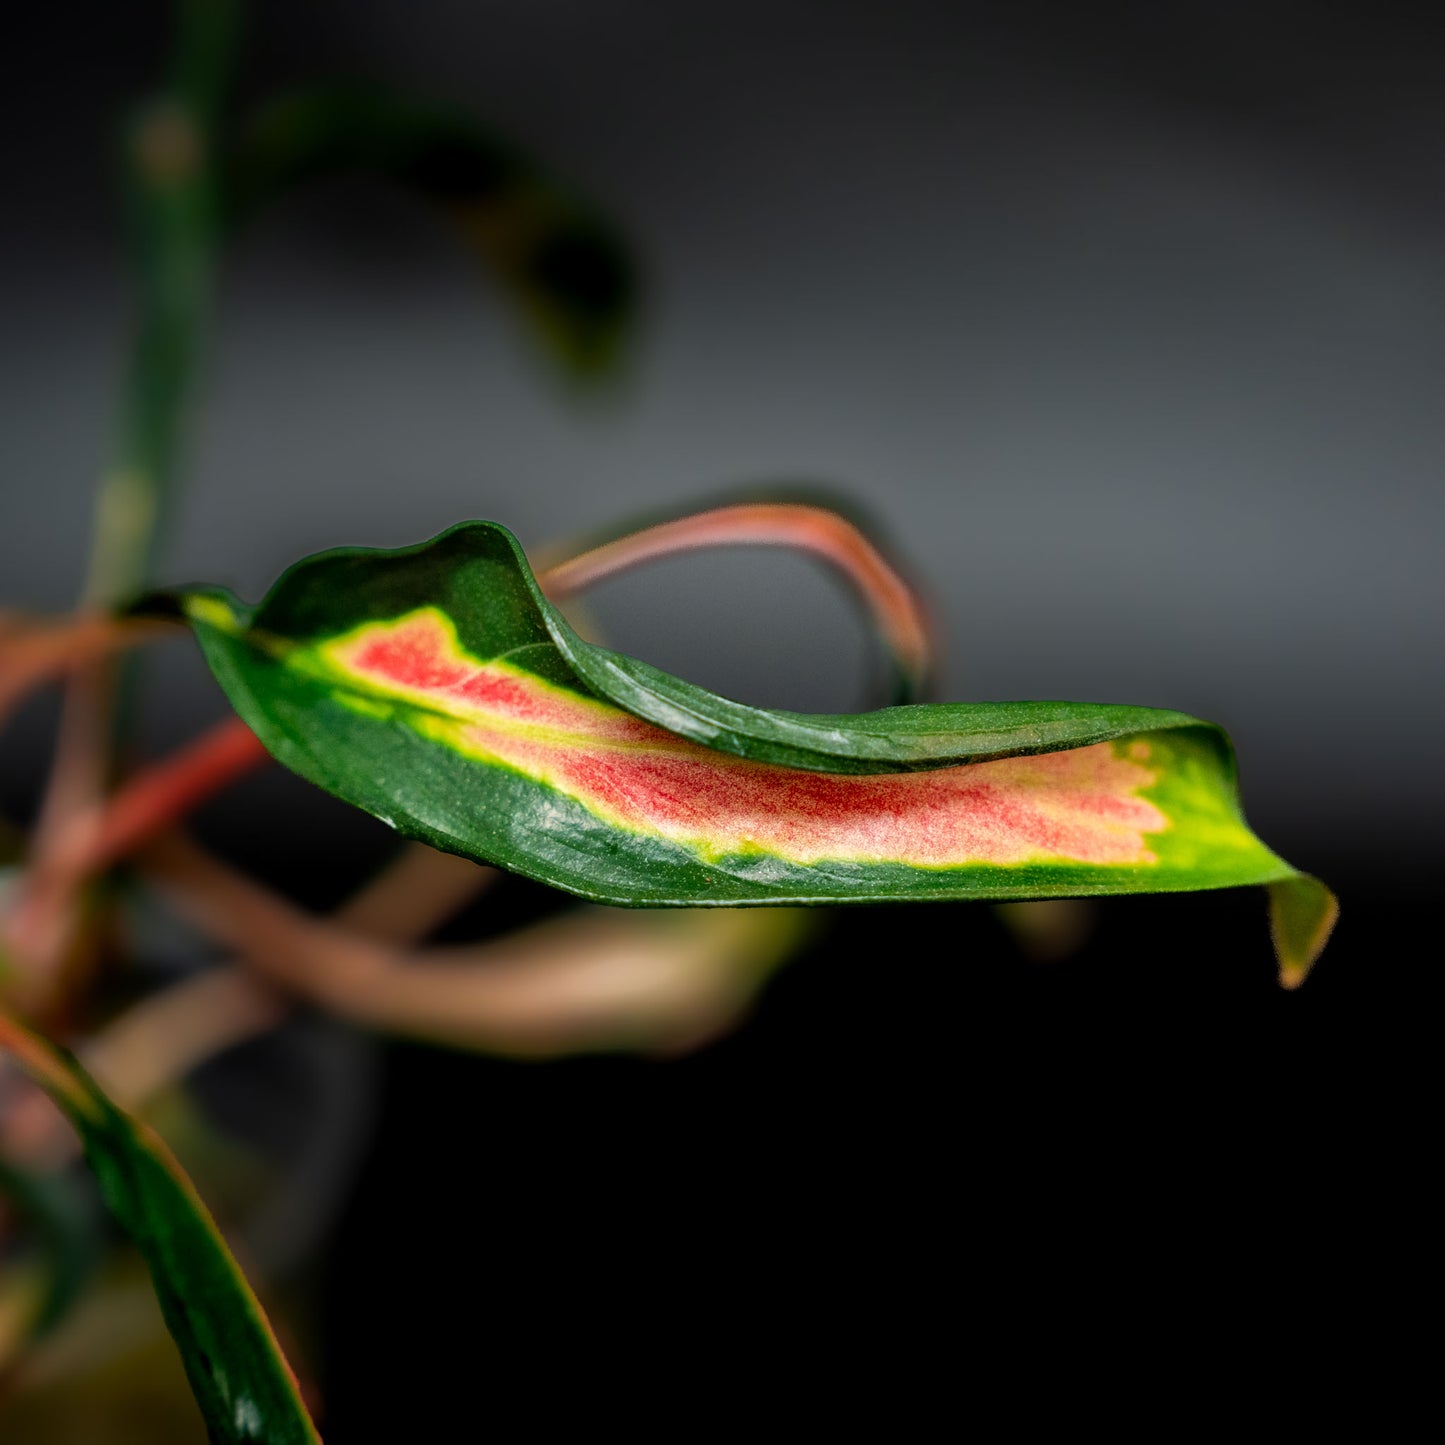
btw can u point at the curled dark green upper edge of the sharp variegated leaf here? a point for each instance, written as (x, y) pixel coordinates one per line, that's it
(479, 583)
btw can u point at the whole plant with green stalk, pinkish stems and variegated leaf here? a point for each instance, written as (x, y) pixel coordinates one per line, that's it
(443, 690)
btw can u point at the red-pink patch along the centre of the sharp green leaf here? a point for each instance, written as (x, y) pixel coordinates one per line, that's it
(1082, 806)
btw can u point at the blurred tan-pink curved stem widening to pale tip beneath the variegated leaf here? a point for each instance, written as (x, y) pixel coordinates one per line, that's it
(602, 979)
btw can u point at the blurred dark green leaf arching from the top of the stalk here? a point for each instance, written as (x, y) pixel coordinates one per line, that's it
(558, 259)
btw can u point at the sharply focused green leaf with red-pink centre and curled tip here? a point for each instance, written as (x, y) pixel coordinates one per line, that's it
(437, 689)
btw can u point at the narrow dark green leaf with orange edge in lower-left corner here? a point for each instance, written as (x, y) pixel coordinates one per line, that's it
(241, 1379)
